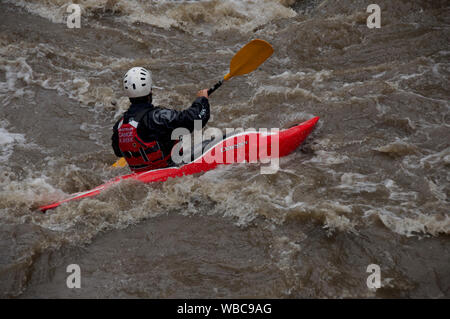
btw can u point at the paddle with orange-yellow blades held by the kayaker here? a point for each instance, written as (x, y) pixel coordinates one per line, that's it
(252, 55)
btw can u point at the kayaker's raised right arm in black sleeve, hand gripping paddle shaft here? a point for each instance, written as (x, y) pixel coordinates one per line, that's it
(169, 120)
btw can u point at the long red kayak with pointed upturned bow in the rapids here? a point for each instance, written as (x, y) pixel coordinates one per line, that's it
(249, 146)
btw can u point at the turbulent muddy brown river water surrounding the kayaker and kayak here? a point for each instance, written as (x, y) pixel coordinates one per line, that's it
(369, 186)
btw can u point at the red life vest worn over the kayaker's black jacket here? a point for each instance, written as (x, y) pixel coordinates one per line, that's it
(140, 156)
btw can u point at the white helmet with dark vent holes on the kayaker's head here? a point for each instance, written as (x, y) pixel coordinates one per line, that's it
(137, 82)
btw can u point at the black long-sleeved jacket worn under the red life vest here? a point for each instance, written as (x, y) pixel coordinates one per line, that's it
(158, 123)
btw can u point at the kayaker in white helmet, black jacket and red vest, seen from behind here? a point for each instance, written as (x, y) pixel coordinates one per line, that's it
(143, 134)
